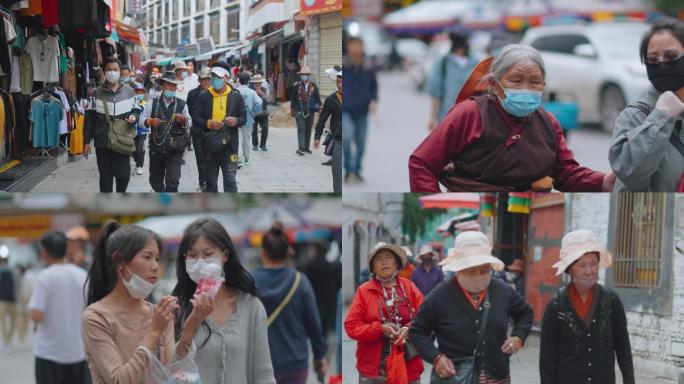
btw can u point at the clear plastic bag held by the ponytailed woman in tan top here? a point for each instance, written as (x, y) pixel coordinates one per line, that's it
(184, 371)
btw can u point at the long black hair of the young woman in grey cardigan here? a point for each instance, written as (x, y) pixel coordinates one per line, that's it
(236, 276)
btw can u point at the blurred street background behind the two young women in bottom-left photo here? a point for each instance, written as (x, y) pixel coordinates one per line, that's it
(312, 222)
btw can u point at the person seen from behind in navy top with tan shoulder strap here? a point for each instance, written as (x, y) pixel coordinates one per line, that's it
(292, 314)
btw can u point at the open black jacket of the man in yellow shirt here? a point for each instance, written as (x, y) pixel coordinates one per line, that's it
(236, 108)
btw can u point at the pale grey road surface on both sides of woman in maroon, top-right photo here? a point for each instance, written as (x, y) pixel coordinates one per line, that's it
(400, 126)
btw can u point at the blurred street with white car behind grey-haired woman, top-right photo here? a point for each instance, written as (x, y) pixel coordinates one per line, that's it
(590, 49)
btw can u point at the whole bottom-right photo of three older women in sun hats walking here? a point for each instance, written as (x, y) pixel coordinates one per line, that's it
(521, 288)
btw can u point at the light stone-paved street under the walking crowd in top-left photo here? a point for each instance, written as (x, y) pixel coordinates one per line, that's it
(277, 170)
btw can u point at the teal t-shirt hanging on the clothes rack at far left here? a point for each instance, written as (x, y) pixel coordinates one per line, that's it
(45, 116)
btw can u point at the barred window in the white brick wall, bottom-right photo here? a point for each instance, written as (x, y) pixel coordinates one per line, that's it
(638, 241)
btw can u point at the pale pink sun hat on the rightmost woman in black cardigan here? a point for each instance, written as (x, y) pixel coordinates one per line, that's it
(577, 243)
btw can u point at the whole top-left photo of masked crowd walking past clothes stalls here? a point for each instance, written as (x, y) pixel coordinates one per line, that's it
(171, 96)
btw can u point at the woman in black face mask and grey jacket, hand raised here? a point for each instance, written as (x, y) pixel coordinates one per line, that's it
(647, 150)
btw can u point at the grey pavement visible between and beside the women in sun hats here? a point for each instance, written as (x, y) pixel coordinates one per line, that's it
(524, 365)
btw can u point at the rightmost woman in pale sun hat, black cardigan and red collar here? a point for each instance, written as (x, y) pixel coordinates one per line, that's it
(584, 327)
